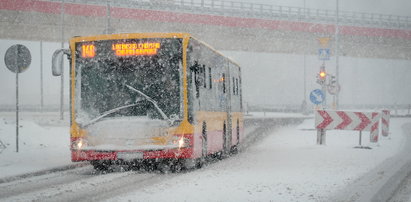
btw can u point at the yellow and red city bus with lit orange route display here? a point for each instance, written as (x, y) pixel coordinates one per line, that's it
(151, 97)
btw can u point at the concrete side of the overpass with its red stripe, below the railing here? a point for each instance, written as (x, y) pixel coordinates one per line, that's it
(41, 20)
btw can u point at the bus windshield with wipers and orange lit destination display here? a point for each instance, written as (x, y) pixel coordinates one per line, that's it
(109, 74)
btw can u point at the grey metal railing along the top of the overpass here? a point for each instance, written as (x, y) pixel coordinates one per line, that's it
(262, 11)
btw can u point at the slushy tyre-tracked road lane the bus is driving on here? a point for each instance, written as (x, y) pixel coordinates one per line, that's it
(82, 184)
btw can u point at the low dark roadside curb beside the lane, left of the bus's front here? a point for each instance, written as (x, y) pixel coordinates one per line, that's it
(43, 172)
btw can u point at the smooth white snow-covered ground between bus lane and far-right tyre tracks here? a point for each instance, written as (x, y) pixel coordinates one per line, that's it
(286, 165)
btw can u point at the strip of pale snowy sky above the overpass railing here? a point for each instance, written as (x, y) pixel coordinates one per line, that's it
(391, 7)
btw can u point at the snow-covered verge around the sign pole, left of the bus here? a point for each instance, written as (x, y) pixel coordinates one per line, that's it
(41, 146)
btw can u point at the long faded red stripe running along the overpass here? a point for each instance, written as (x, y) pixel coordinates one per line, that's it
(167, 16)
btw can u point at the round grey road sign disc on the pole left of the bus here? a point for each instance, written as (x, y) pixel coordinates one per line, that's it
(17, 58)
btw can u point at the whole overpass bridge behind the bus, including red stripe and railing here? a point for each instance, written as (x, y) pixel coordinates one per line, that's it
(225, 25)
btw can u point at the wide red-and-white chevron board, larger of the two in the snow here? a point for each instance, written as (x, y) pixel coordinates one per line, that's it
(348, 120)
